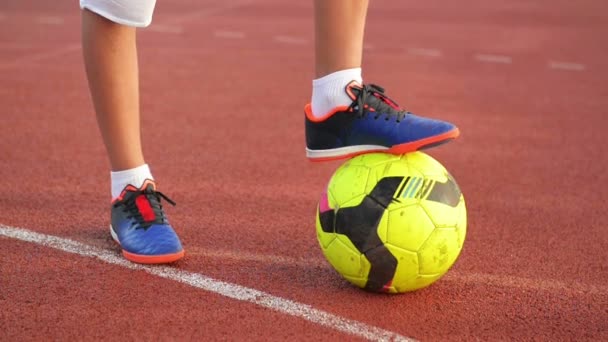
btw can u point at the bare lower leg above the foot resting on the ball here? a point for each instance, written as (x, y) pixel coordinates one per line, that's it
(339, 29)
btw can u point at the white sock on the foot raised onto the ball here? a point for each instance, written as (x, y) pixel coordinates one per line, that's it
(328, 91)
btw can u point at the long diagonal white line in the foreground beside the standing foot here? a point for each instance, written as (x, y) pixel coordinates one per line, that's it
(203, 282)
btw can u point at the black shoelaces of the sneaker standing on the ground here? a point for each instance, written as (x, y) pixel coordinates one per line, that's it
(153, 197)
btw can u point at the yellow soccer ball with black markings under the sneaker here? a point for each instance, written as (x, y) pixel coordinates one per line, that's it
(391, 223)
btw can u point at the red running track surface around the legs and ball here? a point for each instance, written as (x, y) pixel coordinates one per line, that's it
(223, 87)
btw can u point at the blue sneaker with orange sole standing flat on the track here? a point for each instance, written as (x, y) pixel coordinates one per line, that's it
(140, 227)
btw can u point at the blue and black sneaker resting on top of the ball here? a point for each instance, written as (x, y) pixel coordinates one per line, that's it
(372, 123)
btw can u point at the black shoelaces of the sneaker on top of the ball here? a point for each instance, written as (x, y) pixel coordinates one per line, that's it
(373, 95)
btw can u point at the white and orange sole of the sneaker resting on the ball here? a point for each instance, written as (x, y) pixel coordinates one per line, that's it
(352, 151)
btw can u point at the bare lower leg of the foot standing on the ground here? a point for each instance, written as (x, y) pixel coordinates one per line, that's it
(110, 56)
